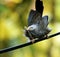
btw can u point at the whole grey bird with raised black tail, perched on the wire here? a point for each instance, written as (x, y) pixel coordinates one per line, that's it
(37, 25)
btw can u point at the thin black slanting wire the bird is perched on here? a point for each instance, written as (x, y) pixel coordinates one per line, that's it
(26, 44)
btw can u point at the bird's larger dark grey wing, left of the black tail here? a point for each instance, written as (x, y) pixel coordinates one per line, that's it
(33, 17)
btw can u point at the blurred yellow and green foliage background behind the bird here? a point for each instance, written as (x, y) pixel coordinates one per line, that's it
(13, 19)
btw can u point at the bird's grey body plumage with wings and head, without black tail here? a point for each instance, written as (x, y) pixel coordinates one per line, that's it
(35, 19)
